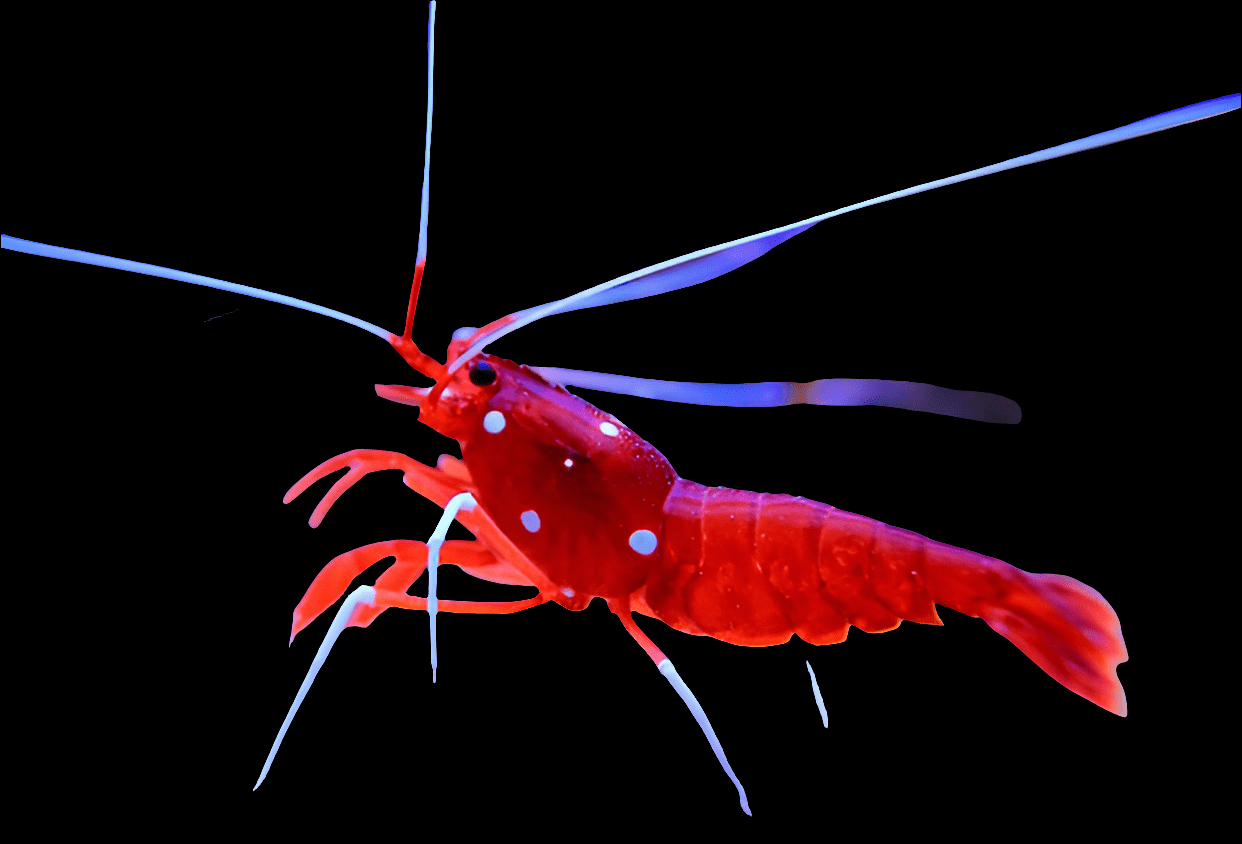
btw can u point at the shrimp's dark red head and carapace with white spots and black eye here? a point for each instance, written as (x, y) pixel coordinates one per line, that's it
(577, 491)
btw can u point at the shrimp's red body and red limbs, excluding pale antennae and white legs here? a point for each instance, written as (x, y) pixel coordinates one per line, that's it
(579, 506)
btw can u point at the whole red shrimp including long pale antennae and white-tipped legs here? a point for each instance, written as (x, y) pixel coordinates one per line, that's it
(563, 497)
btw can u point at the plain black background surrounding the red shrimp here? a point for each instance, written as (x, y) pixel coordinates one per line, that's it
(161, 424)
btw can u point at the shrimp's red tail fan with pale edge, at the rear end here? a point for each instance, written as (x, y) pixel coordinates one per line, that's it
(1066, 627)
